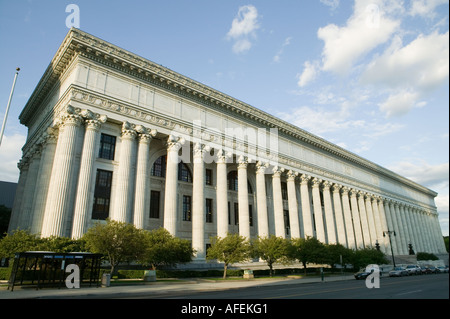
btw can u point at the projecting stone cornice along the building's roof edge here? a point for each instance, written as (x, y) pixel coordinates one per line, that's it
(78, 42)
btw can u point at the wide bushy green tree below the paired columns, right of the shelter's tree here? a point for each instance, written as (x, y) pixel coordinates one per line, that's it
(163, 249)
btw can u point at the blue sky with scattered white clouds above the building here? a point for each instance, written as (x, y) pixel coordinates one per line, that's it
(368, 75)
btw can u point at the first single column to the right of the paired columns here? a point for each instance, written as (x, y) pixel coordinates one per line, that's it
(170, 199)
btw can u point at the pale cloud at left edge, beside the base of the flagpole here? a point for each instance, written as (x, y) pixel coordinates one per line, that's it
(10, 154)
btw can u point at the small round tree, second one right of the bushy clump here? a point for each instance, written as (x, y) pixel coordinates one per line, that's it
(272, 250)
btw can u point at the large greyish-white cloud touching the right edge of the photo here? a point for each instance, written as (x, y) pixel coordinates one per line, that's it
(410, 72)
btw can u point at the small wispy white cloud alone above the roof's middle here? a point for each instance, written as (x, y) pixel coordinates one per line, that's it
(243, 27)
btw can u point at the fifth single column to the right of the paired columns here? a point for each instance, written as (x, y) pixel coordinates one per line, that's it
(263, 222)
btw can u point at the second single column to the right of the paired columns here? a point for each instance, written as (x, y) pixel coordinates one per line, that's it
(198, 202)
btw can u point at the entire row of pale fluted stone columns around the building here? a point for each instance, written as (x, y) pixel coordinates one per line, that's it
(54, 195)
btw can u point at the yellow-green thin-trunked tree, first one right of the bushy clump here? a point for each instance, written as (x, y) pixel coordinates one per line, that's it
(231, 249)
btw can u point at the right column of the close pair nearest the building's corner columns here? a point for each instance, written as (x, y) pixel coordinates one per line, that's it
(142, 199)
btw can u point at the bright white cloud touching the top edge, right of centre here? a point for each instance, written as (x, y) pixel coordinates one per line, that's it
(366, 29)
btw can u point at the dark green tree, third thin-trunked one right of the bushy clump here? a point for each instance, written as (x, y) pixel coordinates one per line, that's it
(309, 250)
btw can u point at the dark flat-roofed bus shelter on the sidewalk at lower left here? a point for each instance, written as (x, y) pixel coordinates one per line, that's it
(49, 269)
